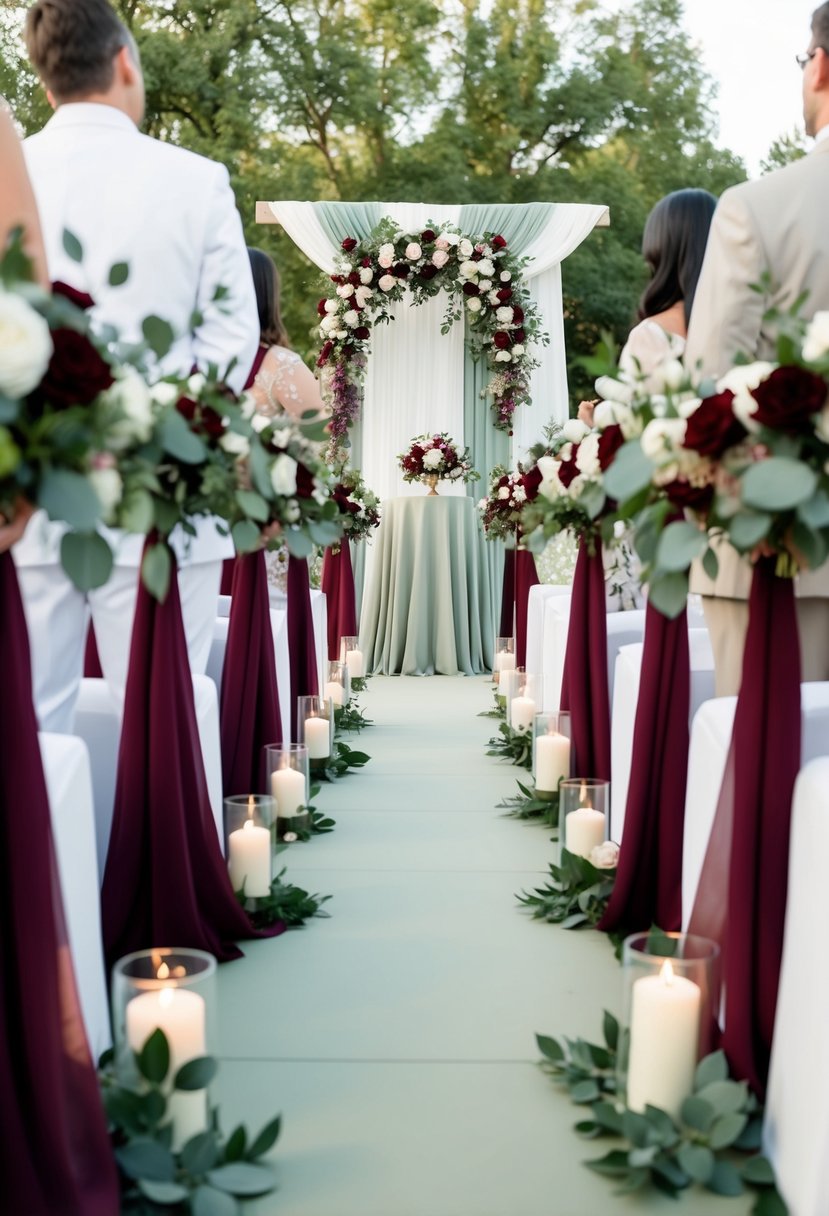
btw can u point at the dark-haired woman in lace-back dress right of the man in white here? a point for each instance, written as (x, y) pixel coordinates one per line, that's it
(280, 381)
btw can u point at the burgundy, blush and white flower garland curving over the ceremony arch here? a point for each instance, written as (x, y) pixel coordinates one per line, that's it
(483, 280)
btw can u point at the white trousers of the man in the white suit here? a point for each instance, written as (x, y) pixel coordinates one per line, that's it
(58, 618)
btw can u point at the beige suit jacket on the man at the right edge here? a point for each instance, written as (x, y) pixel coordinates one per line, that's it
(779, 227)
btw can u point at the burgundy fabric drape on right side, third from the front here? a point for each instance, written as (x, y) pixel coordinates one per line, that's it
(585, 678)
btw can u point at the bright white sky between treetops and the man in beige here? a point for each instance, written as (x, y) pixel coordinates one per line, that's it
(749, 48)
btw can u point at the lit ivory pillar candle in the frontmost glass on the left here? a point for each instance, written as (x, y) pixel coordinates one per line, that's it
(182, 1017)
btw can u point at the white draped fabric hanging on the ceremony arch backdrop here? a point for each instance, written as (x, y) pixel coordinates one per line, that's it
(415, 378)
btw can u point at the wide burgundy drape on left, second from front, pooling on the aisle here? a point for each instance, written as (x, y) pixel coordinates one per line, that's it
(166, 879)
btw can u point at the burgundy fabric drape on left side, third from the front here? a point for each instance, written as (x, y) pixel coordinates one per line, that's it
(250, 699)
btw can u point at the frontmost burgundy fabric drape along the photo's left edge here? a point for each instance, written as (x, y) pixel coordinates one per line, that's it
(55, 1153)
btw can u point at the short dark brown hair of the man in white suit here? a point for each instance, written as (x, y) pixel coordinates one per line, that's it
(72, 46)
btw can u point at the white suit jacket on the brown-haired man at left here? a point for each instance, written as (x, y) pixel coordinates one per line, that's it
(172, 217)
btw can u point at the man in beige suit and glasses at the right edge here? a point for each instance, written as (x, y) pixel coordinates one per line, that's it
(776, 227)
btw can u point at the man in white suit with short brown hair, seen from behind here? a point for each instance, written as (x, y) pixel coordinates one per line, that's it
(172, 217)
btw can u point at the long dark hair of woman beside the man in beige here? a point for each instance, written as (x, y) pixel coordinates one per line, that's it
(674, 246)
